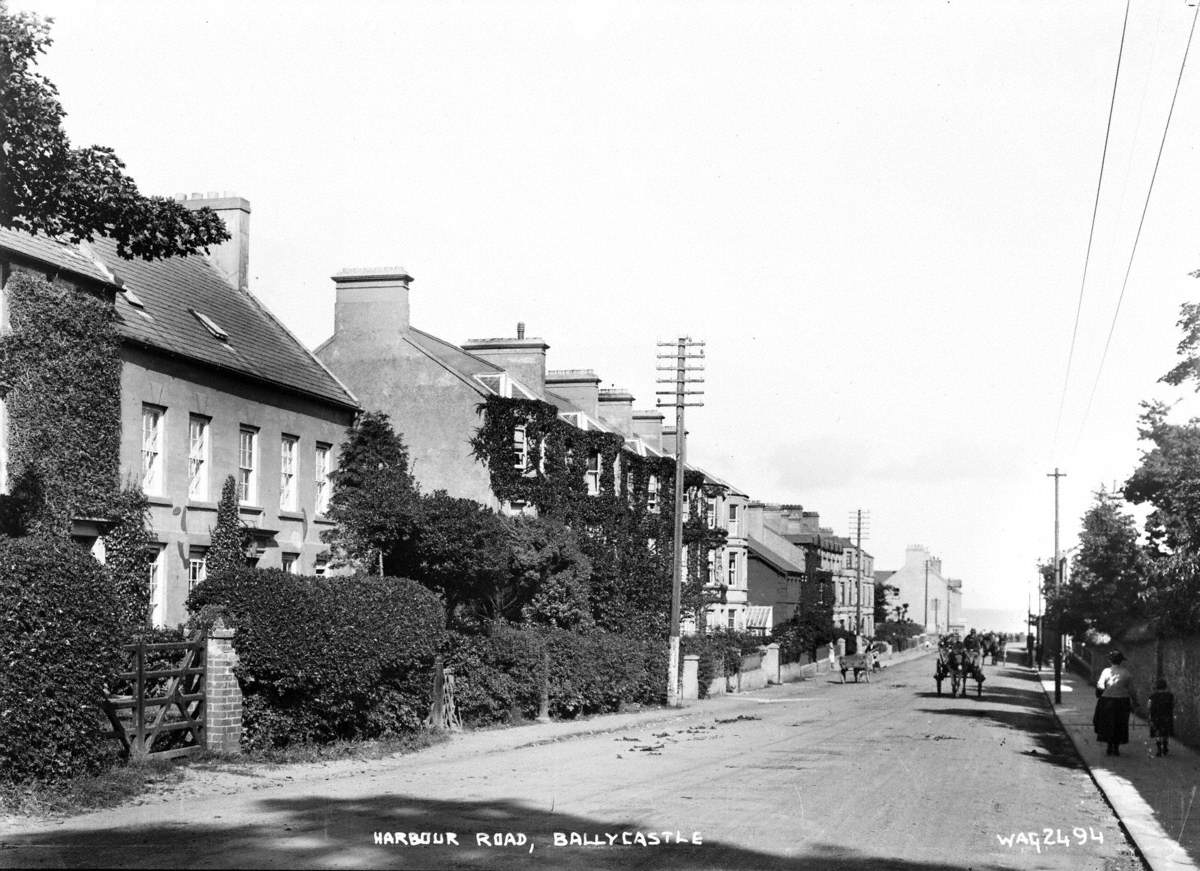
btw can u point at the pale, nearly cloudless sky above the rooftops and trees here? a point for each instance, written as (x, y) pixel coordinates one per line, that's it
(875, 215)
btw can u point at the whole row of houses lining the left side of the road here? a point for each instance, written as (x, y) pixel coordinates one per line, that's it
(213, 385)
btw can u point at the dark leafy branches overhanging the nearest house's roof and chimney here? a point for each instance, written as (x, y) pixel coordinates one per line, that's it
(77, 194)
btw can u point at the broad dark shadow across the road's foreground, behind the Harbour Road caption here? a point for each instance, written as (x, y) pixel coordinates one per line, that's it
(320, 833)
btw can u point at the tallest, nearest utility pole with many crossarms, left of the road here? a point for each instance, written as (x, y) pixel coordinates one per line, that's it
(677, 368)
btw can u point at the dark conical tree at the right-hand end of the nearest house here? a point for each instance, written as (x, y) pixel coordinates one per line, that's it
(375, 501)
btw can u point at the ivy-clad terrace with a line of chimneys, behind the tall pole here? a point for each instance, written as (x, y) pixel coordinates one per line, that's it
(488, 422)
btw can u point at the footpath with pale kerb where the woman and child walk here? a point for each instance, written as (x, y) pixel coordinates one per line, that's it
(1156, 798)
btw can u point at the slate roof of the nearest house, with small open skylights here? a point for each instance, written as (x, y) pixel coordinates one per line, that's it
(259, 346)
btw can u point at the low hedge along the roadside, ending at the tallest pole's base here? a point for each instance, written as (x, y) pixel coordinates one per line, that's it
(499, 677)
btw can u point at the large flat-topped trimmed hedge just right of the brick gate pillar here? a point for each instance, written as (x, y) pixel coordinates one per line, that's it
(328, 658)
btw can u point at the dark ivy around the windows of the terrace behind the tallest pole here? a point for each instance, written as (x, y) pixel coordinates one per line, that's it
(628, 542)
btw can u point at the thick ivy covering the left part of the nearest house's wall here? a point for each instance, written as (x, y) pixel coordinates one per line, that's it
(61, 364)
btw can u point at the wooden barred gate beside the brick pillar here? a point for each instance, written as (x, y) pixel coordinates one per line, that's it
(158, 706)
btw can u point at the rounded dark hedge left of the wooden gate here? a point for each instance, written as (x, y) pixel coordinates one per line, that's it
(61, 636)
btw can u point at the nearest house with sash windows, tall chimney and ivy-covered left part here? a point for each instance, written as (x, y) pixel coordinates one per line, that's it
(209, 385)
